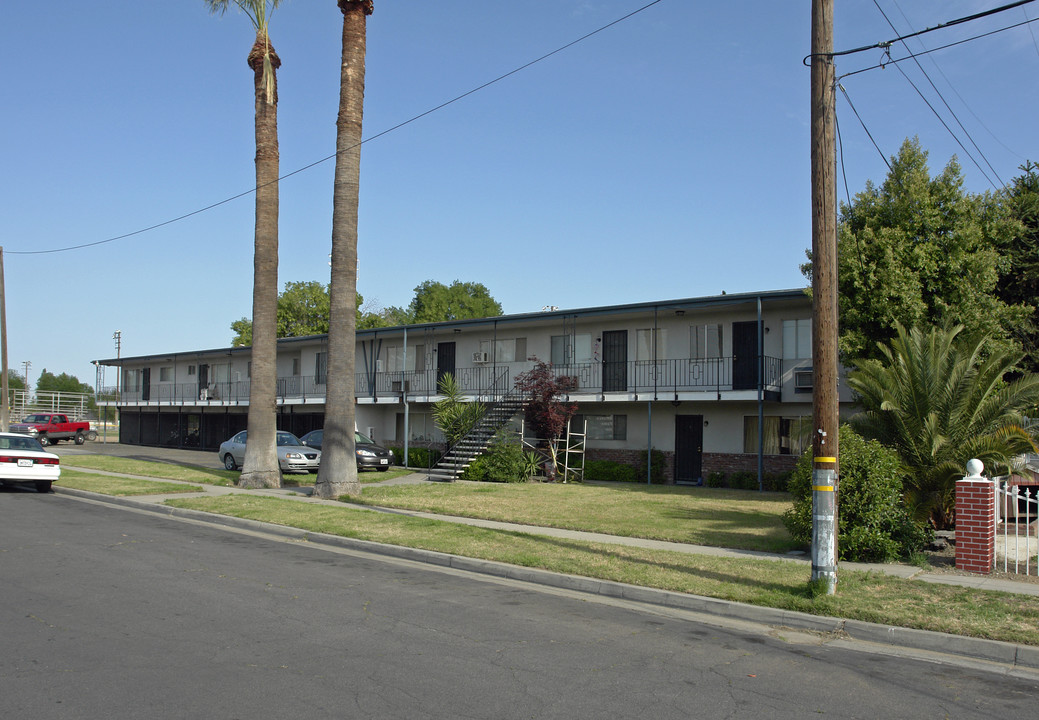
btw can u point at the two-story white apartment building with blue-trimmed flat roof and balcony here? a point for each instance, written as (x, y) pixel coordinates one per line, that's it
(721, 383)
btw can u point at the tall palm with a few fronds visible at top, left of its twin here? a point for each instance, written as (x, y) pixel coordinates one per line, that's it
(260, 468)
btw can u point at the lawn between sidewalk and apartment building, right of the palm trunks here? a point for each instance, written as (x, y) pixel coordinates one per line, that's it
(697, 516)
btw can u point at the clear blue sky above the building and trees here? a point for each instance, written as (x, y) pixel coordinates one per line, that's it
(665, 157)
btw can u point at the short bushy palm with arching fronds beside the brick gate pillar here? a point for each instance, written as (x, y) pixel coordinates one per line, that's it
(940, 401)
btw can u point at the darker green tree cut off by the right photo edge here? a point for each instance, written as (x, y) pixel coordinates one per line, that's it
(1020, 283)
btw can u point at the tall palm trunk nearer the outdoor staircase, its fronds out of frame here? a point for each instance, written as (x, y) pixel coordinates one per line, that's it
(339, 467)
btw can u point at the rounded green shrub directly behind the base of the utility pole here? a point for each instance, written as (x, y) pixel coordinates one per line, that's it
(873, 523)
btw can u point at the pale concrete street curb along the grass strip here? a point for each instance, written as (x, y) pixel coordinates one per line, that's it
(979, 649)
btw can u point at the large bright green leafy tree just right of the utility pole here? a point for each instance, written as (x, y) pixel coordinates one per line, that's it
(920, 251)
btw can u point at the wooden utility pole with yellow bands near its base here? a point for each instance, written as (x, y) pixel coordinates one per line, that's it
(824, 292)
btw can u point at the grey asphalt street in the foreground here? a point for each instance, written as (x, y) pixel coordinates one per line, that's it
(115, 614)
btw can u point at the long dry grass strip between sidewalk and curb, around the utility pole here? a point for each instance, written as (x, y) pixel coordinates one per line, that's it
(770, 583)
